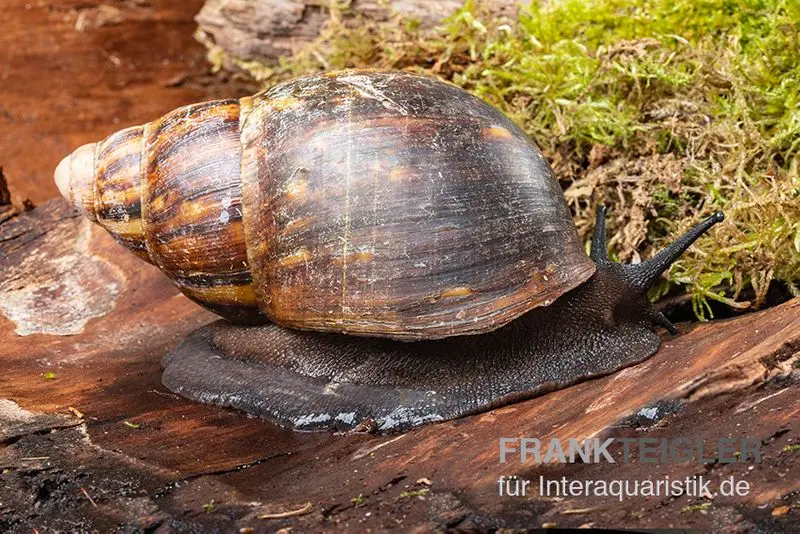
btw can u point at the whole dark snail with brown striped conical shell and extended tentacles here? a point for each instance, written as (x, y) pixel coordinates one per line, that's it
(388, 250)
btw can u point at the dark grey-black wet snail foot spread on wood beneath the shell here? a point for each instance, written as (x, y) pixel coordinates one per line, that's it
(312, 381)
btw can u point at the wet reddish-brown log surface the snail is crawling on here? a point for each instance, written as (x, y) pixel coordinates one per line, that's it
(92, 438)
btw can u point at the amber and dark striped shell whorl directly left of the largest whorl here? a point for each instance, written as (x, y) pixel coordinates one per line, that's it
(191, 206)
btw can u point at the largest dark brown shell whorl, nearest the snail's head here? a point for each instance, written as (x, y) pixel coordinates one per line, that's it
(395, 205)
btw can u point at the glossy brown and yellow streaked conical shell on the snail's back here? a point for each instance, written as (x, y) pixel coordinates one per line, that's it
(372, 203)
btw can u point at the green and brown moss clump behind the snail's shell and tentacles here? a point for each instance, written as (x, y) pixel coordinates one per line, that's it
(665, 110)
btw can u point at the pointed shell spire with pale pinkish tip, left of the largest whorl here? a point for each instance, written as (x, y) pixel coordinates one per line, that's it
(169, 191)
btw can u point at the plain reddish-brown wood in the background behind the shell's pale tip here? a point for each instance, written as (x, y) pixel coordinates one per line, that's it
(73, 72)
